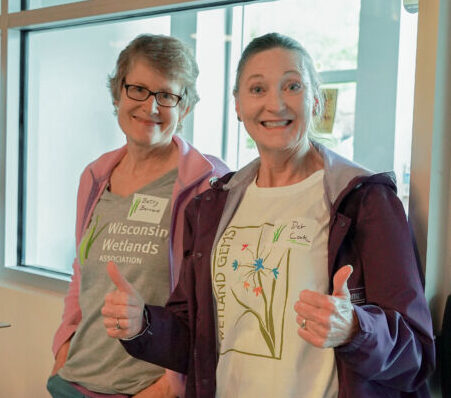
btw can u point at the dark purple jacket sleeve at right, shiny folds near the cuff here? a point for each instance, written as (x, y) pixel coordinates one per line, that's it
(395, 345)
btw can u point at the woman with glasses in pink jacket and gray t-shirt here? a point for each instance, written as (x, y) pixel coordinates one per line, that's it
(130, 210)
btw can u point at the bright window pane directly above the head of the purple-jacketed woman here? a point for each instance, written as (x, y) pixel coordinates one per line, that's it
(329, 30)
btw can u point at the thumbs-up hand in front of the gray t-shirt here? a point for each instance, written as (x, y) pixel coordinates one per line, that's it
(123, 308)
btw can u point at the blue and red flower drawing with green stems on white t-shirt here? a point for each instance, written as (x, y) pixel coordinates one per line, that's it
(259, 269)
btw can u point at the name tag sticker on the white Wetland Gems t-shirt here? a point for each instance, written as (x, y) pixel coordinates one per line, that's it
(297, 232)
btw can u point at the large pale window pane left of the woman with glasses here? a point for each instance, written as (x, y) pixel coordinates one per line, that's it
(70, 122)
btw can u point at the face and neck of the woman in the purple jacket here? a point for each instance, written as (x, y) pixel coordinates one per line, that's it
(277, 110)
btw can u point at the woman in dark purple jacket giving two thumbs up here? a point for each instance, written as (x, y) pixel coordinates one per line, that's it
(299, 278)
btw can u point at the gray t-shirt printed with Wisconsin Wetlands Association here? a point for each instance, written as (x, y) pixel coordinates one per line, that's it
(134, 233)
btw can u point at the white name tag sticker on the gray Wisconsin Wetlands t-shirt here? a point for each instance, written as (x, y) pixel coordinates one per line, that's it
(147, 208)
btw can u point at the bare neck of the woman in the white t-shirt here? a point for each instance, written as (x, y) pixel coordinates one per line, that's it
(288, 167)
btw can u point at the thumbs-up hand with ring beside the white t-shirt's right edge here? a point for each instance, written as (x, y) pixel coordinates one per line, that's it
(327, 320)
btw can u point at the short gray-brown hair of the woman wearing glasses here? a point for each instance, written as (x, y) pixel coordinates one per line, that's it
(168, 55)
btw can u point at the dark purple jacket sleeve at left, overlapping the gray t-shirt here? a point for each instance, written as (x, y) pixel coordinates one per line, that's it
(166, 342)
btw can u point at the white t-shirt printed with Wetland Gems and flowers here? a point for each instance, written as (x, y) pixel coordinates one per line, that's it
(274, 247)
